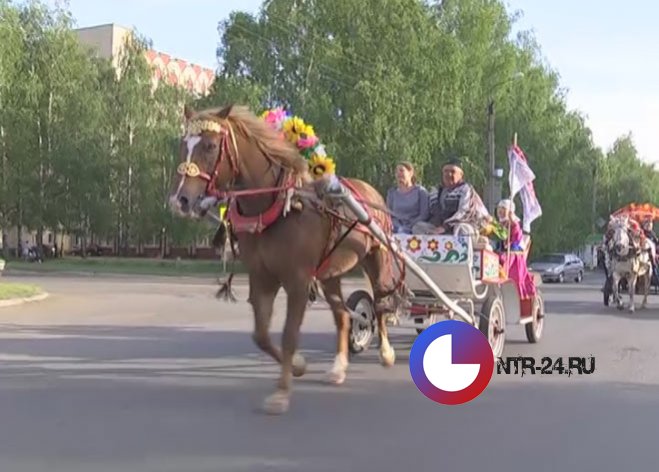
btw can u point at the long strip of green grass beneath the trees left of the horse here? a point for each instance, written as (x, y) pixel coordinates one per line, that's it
(120, 265)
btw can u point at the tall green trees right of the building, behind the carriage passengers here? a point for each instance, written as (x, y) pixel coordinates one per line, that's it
(413, 83)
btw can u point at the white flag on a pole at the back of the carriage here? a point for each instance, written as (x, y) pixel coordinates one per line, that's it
(521, 181)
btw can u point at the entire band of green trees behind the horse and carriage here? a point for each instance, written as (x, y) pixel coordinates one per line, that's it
(90, 150)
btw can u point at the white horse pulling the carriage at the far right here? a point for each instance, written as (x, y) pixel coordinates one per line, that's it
(628, 259)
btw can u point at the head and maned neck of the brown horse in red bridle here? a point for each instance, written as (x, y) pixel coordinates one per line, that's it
(229, 149)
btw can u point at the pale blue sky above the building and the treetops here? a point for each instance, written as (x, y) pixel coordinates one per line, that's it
(607, 52)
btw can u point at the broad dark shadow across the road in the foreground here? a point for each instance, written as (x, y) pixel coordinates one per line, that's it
(139, 426)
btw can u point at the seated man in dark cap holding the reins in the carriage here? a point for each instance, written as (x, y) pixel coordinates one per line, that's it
(457, 202)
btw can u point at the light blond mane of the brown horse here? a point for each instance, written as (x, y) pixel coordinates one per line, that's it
(253, 128)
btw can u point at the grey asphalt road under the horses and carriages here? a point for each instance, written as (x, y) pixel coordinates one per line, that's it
(144, 375)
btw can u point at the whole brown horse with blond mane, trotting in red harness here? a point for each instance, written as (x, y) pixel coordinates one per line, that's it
(230, 152)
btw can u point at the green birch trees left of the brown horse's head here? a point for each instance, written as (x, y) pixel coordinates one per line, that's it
(86, 147)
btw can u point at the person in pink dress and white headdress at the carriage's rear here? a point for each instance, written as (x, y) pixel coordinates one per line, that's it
(514, 262)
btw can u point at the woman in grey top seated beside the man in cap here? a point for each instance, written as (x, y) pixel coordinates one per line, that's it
(408, 202)
